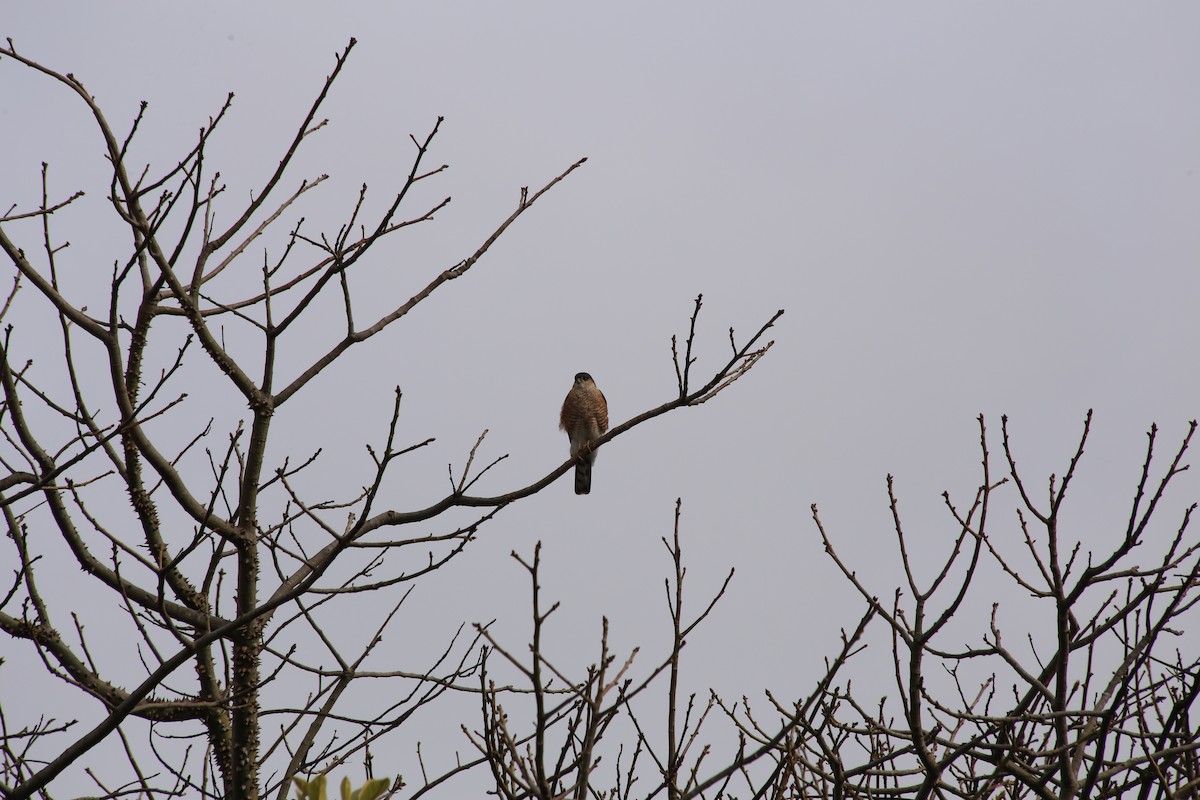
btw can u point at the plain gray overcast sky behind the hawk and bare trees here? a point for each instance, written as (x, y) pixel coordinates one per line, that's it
(964, 208)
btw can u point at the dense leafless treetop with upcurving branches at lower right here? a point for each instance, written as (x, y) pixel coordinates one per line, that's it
(1089, 699)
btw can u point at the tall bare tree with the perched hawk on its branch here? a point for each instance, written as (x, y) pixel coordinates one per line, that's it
(224, 562)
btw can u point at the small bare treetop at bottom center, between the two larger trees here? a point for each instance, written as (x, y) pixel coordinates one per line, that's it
(562, 753)
